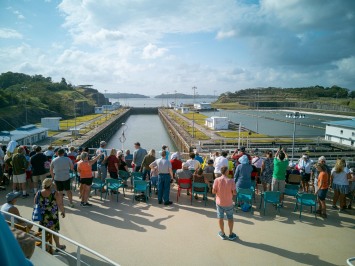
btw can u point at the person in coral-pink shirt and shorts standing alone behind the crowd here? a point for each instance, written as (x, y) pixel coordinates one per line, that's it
(224, 188)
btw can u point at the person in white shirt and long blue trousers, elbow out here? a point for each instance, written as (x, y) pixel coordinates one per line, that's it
(164, 177)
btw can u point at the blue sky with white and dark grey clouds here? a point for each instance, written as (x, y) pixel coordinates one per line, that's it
(160, 46)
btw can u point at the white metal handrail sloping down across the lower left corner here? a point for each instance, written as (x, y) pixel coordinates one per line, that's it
(43, 246)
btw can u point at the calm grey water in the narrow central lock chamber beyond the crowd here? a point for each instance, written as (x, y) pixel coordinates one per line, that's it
(146, 129)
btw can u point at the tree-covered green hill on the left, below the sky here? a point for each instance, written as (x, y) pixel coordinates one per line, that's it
(42, 97)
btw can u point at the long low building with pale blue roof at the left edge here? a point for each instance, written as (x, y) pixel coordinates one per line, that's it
(26, 135)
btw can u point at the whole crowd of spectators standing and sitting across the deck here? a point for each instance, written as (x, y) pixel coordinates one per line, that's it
(48, 175)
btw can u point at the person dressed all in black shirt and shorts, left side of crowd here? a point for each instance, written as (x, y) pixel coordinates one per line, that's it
(39, 172)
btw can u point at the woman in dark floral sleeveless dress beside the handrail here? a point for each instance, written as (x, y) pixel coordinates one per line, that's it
(50, 203)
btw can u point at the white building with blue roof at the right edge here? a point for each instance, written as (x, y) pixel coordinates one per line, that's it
(342, 132)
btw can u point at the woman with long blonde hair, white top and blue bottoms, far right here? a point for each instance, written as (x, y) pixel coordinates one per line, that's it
(340, 183)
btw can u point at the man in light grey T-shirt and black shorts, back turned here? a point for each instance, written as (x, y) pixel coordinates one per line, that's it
(59, 170)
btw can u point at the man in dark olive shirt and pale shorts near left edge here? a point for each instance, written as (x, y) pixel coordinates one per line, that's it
(19, 166)
